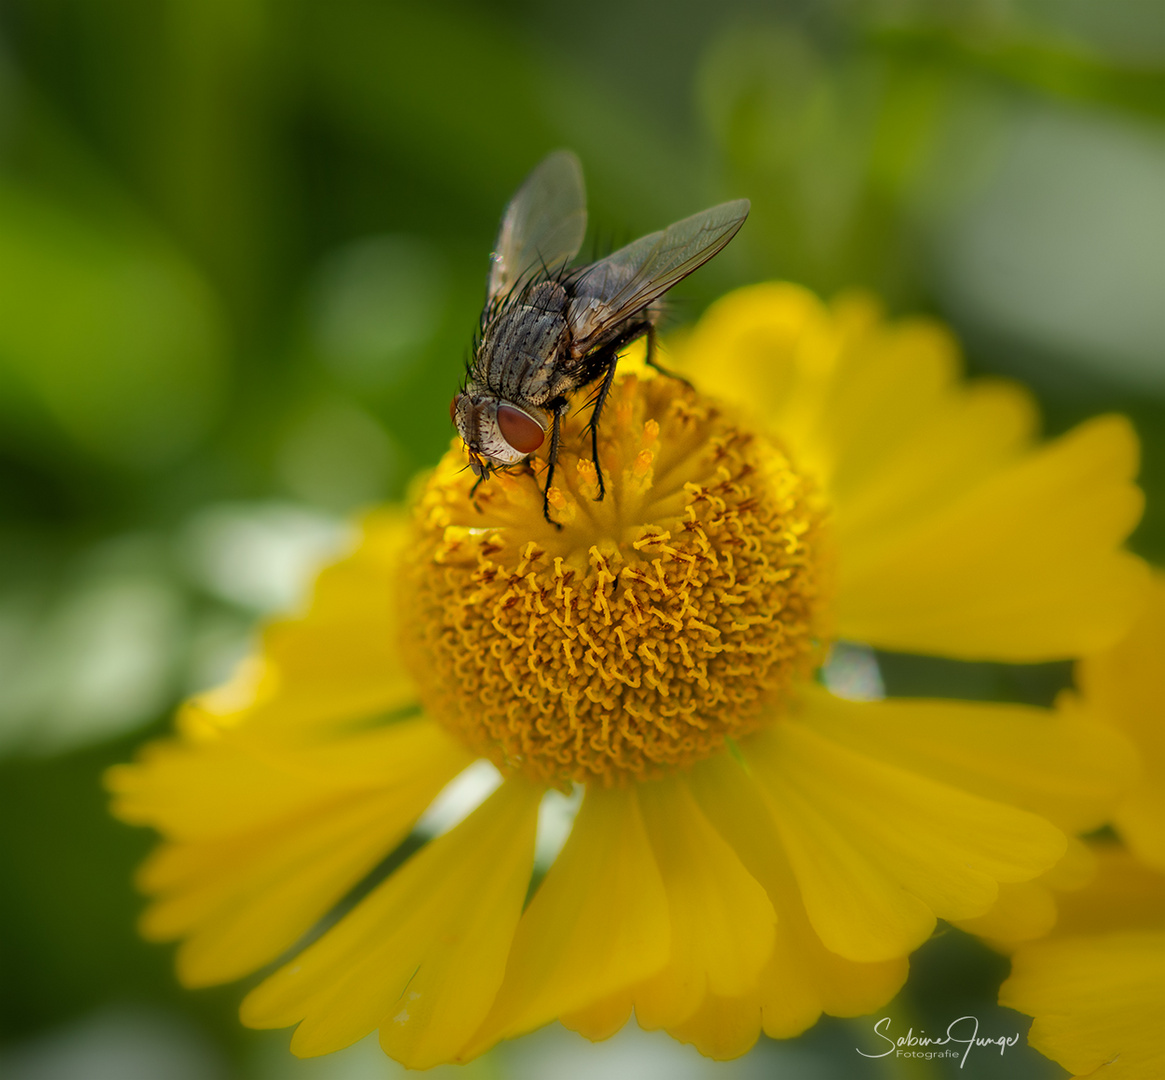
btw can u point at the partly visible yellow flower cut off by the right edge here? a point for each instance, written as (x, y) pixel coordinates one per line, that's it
(1097, 986)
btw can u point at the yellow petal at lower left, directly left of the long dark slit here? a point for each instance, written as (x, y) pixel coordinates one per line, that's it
(306, 832)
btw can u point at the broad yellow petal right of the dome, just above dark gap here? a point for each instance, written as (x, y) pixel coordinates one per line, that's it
(1022, 568)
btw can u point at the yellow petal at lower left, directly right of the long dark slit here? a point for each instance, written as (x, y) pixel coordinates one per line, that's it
(423, 955)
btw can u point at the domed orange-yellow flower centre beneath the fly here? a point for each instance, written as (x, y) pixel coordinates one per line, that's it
(647, 631)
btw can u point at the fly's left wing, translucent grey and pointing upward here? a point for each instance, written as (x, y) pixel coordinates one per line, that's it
(545, 224)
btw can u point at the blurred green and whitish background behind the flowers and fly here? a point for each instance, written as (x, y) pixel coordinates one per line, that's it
(243, 250)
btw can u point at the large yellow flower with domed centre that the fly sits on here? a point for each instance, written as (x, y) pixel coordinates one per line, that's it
(751, 851)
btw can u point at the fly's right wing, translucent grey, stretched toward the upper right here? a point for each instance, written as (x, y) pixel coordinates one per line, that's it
(631, 279)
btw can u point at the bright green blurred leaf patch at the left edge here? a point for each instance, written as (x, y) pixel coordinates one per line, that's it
(108, 330)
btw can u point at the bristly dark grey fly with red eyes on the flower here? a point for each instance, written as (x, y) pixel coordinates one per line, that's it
(549, 330)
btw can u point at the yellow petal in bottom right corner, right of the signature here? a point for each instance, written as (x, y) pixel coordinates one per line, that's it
(1097, 1003)
